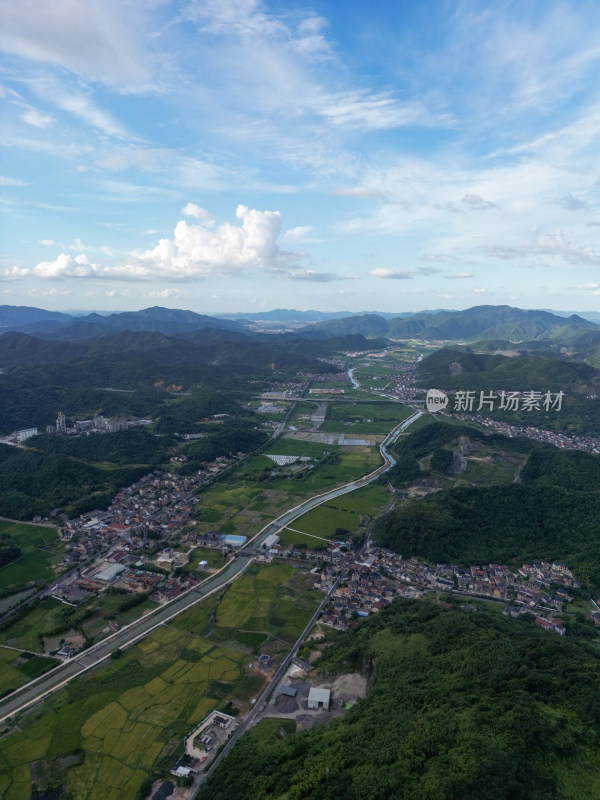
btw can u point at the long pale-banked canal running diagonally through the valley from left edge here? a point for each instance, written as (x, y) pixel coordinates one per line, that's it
(62, 674)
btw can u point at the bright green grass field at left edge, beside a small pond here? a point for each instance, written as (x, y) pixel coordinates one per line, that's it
(40, 549)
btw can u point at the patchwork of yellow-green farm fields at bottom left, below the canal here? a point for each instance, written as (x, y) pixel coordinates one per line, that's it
(110, 731)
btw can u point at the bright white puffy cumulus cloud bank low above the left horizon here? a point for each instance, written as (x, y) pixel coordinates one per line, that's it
(195, 251)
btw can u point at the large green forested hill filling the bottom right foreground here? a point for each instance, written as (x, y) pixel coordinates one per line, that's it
(463, 707)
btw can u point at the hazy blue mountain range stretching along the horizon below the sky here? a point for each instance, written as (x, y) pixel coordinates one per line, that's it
(477, 323)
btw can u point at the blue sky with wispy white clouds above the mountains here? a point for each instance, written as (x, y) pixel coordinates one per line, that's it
(222, 155)
